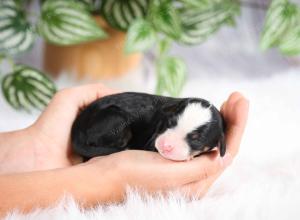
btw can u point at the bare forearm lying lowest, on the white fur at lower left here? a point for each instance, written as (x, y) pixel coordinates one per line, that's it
(27, 191)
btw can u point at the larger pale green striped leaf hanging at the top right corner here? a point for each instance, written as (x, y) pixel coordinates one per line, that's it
(281, 16)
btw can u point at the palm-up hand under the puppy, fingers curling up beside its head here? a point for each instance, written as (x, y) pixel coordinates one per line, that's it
(152, 173)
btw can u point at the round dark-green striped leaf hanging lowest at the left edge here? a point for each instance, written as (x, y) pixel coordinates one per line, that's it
(27, 88)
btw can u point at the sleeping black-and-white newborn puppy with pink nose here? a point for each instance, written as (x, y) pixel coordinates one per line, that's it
(178, 128)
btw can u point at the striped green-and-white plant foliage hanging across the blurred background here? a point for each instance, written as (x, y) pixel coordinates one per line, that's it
(148, 24)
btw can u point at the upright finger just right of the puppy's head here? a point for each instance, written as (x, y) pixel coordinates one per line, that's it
(235, 130)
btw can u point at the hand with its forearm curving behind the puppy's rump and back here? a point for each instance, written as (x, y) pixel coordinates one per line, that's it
(46, 144)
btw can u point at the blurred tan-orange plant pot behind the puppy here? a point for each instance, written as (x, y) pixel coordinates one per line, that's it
(103, 59)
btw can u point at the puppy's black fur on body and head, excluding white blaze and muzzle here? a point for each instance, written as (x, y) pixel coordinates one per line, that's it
(133, 121)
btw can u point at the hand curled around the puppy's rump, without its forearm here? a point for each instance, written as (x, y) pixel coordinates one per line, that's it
(53, 127)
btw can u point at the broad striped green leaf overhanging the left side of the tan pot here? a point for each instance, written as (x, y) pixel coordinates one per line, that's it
(68, 23)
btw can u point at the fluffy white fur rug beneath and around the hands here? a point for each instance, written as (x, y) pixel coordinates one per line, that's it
(262, 183)
